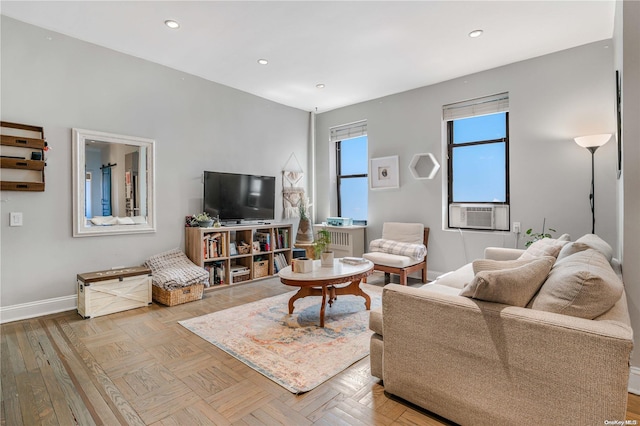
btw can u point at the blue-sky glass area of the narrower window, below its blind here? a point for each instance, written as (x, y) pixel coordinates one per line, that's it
(354, 191)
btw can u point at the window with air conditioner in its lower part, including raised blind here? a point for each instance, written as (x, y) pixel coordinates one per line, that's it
(478, 156)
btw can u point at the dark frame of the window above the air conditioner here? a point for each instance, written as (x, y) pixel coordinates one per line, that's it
(451, 146)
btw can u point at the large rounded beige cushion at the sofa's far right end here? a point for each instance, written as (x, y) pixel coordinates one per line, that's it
(582, 285)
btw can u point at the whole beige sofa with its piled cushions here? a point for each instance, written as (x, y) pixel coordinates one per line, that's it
(482, 362)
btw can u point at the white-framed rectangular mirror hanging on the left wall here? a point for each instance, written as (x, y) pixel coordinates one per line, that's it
(113, 184)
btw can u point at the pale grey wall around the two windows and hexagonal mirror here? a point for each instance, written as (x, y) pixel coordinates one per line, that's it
(553, 99)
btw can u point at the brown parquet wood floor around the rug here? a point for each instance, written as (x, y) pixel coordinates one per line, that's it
(140, 367)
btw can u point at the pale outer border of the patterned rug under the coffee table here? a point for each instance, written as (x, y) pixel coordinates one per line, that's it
(374, 291)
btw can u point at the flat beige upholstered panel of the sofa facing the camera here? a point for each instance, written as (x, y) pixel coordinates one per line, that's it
(476, 362)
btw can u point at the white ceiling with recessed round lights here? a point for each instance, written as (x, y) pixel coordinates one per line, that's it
(359, 50)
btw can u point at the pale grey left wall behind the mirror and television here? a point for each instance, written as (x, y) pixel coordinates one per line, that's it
(198, 125)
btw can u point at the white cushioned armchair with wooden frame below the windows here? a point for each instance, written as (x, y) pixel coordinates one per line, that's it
(401, 250)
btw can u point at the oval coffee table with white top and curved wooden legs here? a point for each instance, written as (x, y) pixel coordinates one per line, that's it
(323, 282)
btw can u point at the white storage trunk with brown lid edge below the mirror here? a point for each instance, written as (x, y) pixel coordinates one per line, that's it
(106, 292)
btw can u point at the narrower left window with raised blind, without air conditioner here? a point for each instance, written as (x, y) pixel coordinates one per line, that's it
(352, 170)
